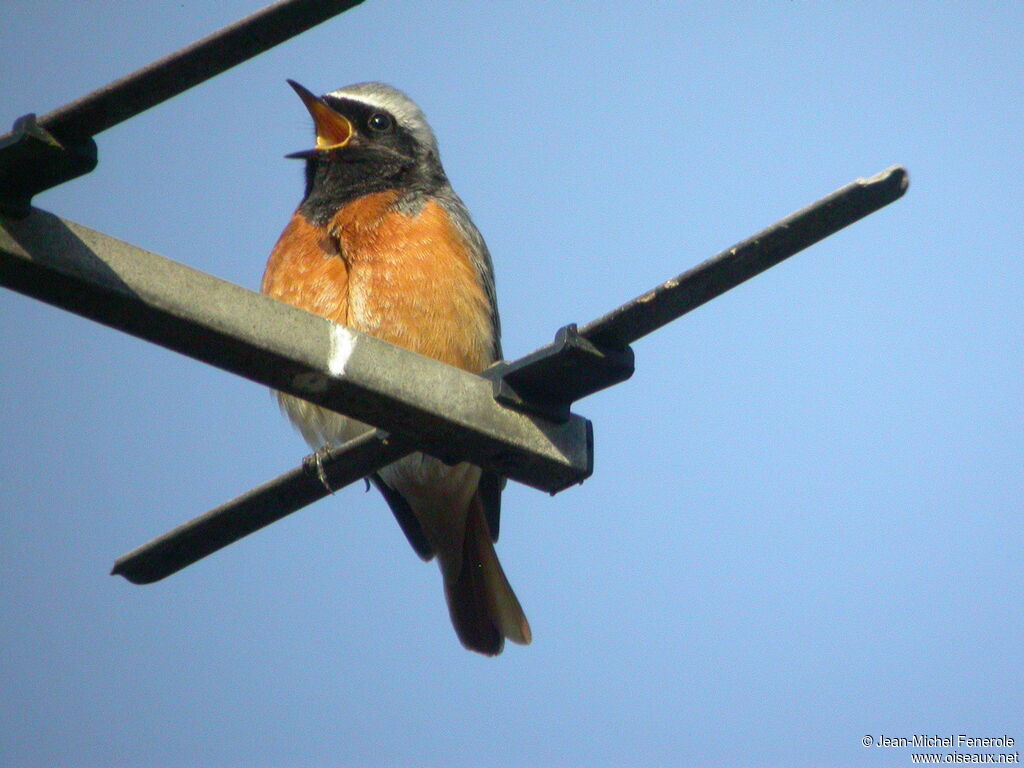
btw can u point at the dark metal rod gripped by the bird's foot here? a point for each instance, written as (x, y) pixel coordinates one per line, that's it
(260, 507)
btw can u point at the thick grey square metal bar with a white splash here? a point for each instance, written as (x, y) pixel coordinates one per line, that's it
(444, 411)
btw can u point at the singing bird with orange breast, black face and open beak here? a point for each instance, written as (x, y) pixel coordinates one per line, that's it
(380, 243)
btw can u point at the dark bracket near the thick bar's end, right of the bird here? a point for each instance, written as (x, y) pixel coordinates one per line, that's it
(548, 381)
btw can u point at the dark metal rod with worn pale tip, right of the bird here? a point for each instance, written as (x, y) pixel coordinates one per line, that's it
(680, 295)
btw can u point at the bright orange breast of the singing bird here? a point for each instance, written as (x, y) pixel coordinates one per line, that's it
(408, 280)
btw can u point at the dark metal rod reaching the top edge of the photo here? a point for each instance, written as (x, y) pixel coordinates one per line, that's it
(177, 73)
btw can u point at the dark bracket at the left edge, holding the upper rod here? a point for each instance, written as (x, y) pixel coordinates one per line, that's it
(33, 160)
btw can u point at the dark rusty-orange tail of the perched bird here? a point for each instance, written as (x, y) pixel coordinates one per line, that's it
(484, 608)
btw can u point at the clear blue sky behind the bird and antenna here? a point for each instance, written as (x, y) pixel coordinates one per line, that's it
(805, 522)
